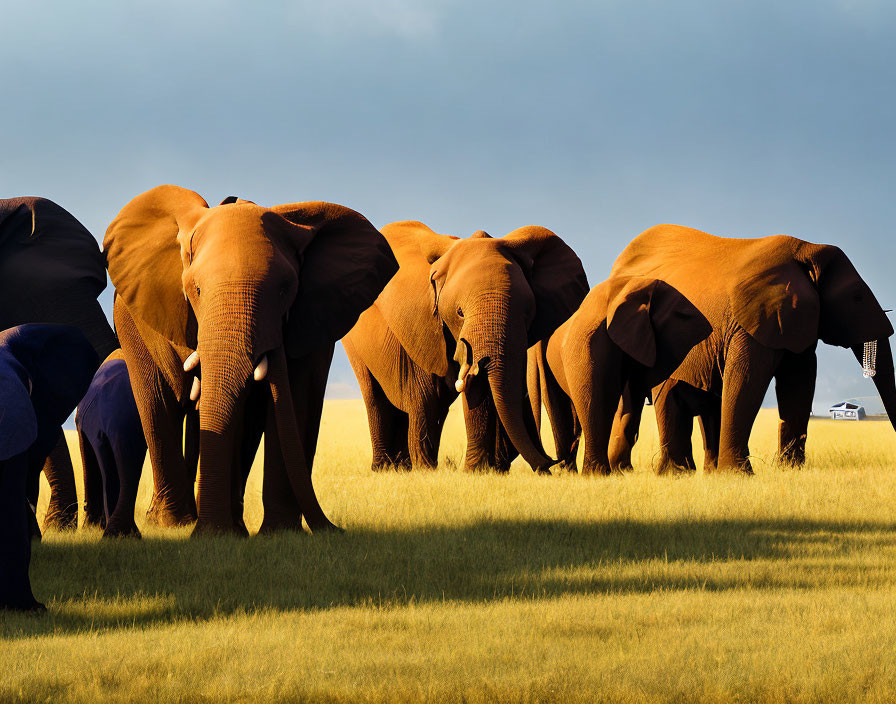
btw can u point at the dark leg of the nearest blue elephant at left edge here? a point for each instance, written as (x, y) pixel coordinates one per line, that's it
(15, 545)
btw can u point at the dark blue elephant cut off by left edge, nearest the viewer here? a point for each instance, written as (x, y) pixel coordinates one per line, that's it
(44, 370)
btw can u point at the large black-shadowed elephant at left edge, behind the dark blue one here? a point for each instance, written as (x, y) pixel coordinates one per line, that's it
(51, 271)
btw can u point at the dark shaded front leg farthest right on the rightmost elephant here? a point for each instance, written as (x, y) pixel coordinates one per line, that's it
(795, 389)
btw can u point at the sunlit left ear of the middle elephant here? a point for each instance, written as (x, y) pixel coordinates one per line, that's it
(408, 302)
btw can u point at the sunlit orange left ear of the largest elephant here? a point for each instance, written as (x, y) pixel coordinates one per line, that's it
(144, 257)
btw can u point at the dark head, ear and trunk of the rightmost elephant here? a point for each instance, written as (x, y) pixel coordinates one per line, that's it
(806, 292)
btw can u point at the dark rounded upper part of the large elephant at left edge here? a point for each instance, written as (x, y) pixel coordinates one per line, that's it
(50, 268)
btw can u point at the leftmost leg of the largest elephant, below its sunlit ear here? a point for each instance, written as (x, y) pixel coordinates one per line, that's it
(162, 418)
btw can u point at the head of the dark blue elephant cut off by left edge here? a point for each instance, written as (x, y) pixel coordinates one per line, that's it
(46, 370)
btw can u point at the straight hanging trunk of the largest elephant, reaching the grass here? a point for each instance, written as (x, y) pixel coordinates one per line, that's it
(225, 350)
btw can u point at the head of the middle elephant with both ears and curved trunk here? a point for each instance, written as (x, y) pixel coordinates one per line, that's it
(496, 297)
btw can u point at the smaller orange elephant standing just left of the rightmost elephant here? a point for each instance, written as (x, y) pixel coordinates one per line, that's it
(594, 372)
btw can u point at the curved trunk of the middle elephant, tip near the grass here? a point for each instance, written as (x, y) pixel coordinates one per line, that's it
(500, 336)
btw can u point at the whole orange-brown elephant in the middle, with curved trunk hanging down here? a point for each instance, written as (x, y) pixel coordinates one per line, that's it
(458, 318)
